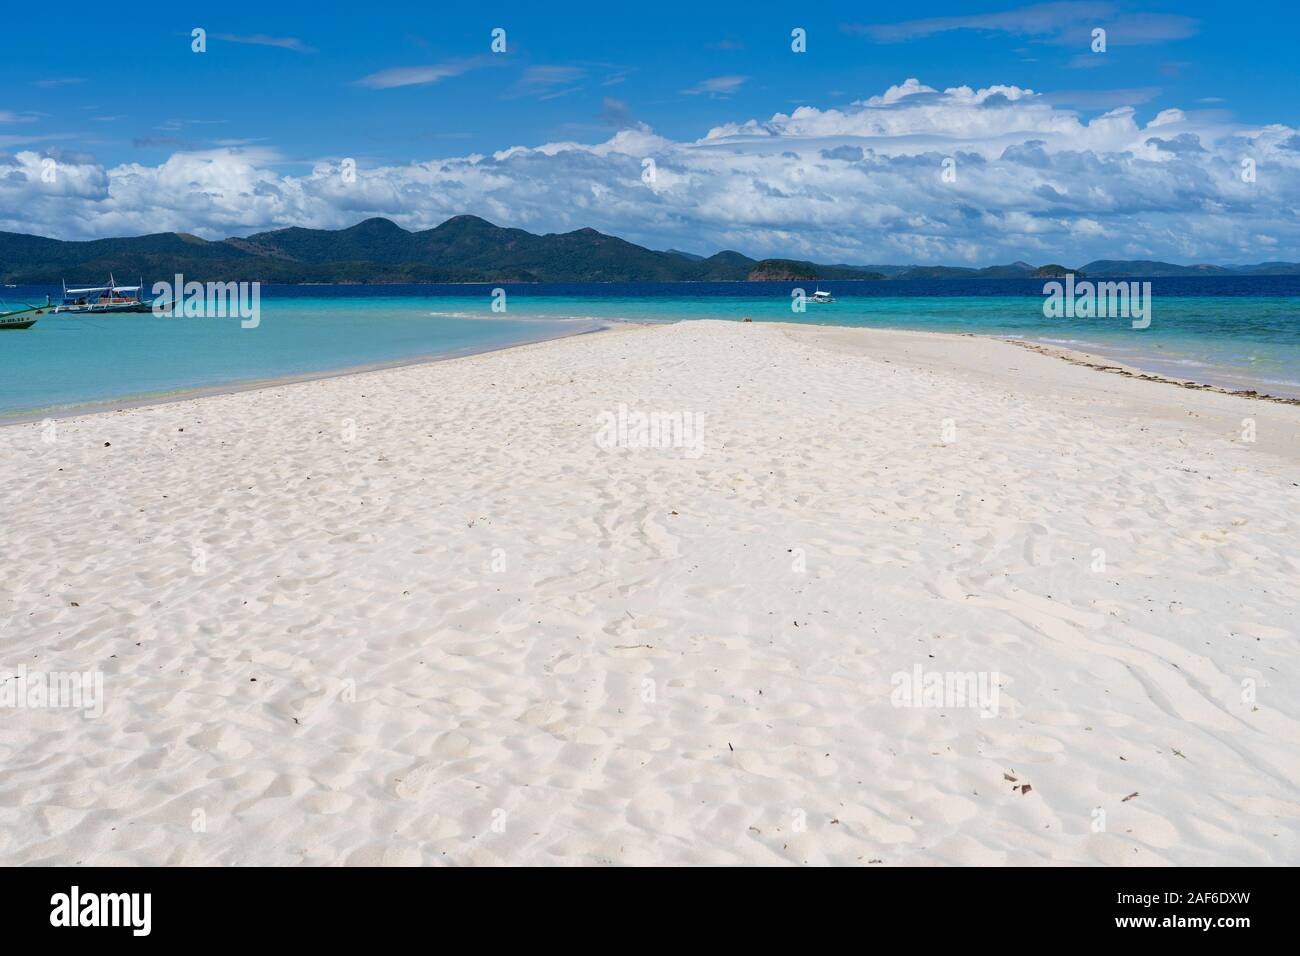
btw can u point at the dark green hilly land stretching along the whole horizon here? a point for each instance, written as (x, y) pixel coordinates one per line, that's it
(467, 249)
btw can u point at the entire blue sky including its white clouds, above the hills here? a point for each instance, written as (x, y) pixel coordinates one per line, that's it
(248, 135)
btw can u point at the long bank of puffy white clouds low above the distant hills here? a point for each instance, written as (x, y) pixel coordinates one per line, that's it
(1034, 180)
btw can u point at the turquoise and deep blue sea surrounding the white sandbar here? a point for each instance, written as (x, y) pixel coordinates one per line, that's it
(1241, 332)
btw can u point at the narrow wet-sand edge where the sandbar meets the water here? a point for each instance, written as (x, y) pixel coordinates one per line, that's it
(1076, 357)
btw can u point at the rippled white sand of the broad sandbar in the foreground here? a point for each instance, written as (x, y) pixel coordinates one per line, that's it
(473, 635)
